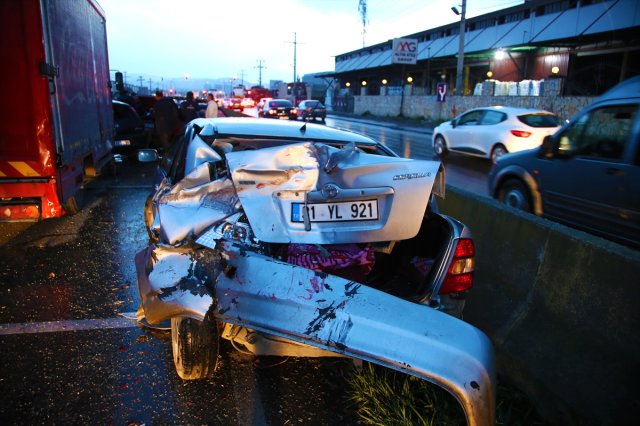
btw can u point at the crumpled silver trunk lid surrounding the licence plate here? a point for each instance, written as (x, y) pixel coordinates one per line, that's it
(269, 181)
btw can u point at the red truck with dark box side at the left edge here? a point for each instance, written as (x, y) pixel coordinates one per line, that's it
(56, 119)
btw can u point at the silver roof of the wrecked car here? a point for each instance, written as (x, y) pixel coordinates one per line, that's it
(263, 128)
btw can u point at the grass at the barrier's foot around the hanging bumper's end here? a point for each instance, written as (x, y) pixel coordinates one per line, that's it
(381, 396)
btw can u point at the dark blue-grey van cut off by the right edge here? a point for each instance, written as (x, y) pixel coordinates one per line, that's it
(586, 175)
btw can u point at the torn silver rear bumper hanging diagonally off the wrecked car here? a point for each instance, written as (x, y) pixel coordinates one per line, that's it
(324, 311)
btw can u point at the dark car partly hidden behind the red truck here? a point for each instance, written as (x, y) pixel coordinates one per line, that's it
(130, 132)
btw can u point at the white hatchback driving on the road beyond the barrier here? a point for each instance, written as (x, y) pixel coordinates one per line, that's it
(494, 131)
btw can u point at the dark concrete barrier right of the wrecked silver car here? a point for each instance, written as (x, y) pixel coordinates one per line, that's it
(561, 307)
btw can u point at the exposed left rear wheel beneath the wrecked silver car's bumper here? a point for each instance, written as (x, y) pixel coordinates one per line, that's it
(195, 347)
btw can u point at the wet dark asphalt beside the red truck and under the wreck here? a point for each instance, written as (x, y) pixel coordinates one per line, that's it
(71, 355)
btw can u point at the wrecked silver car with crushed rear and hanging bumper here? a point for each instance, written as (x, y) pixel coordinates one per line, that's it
(303, 240)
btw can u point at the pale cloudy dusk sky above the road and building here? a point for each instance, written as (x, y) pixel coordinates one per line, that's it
(212, 39)
